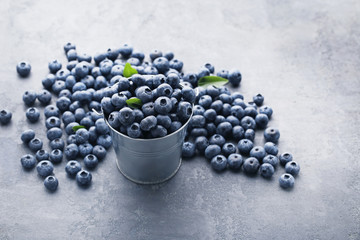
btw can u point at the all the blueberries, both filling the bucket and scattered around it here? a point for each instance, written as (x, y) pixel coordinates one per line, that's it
(165, 98)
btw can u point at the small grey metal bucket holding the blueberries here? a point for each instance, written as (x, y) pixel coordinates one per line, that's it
(148, 161)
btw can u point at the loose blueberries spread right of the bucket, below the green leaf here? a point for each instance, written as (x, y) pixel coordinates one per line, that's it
(223, 130)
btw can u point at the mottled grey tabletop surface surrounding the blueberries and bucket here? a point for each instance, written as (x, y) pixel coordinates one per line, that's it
(303, 56)
